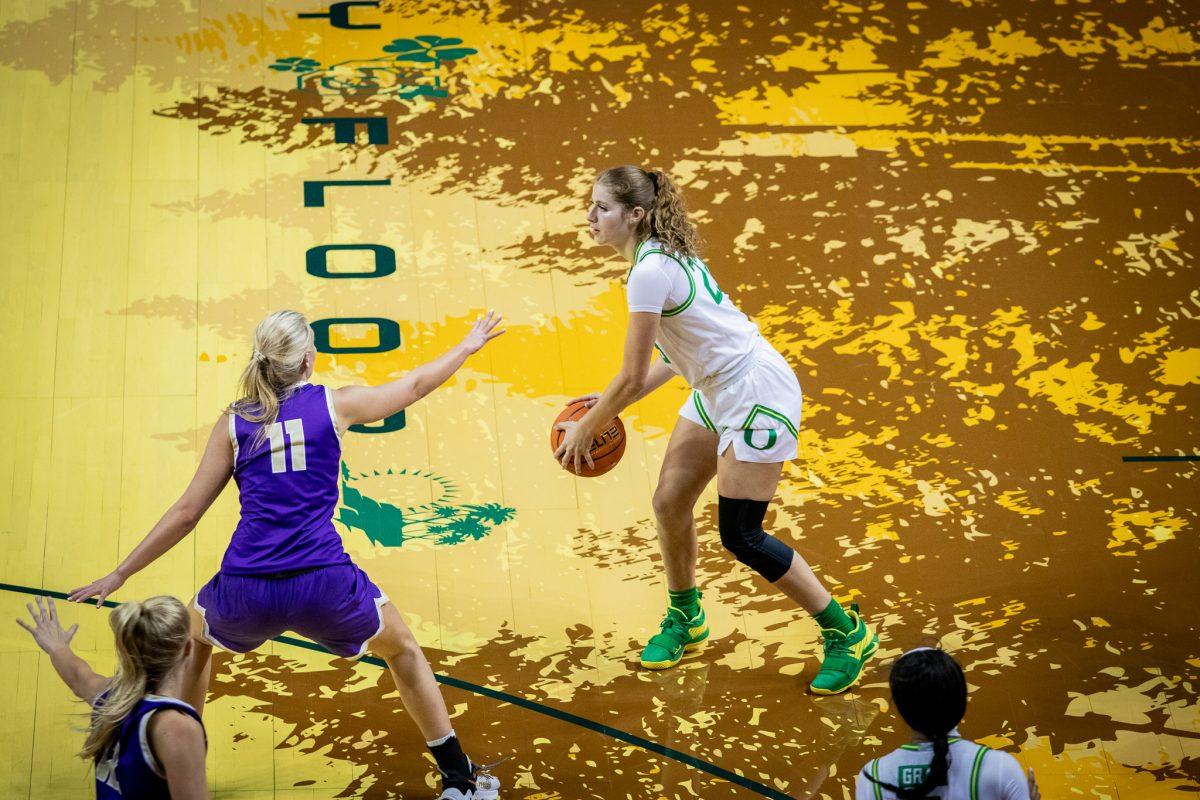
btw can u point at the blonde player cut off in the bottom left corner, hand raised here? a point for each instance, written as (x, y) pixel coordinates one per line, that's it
(145, 741)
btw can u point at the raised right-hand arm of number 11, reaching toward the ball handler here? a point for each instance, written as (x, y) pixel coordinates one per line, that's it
(363, 405)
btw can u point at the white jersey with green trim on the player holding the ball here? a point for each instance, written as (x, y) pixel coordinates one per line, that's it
(703, 335)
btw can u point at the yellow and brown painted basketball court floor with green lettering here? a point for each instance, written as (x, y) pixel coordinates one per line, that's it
(969, 225)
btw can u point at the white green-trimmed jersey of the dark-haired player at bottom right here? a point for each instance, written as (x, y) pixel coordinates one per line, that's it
(977, 773)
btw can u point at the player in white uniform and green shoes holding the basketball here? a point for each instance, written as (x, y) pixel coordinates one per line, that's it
(740, 423)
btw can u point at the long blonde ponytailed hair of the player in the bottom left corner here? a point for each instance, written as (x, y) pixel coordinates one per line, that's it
(151, 640)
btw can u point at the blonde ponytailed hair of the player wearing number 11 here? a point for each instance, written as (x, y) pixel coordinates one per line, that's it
(281, 342)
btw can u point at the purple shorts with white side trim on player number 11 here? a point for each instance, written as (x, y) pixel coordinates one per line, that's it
(339, 607)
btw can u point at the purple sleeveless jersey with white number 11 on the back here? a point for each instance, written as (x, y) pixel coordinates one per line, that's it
(289, 489)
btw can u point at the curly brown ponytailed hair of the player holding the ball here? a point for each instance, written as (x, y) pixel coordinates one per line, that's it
(667, 214)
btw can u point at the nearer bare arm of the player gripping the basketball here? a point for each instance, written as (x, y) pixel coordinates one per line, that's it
(629, 384)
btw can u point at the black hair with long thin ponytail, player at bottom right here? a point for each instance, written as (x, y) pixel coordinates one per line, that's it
(931, 694)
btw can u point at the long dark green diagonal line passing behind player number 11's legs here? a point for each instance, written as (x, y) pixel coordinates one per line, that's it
(514, 700)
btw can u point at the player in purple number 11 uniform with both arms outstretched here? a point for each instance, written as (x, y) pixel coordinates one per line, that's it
(286, 569)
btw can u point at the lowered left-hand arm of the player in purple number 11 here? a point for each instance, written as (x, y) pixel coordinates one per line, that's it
(213, 474)
